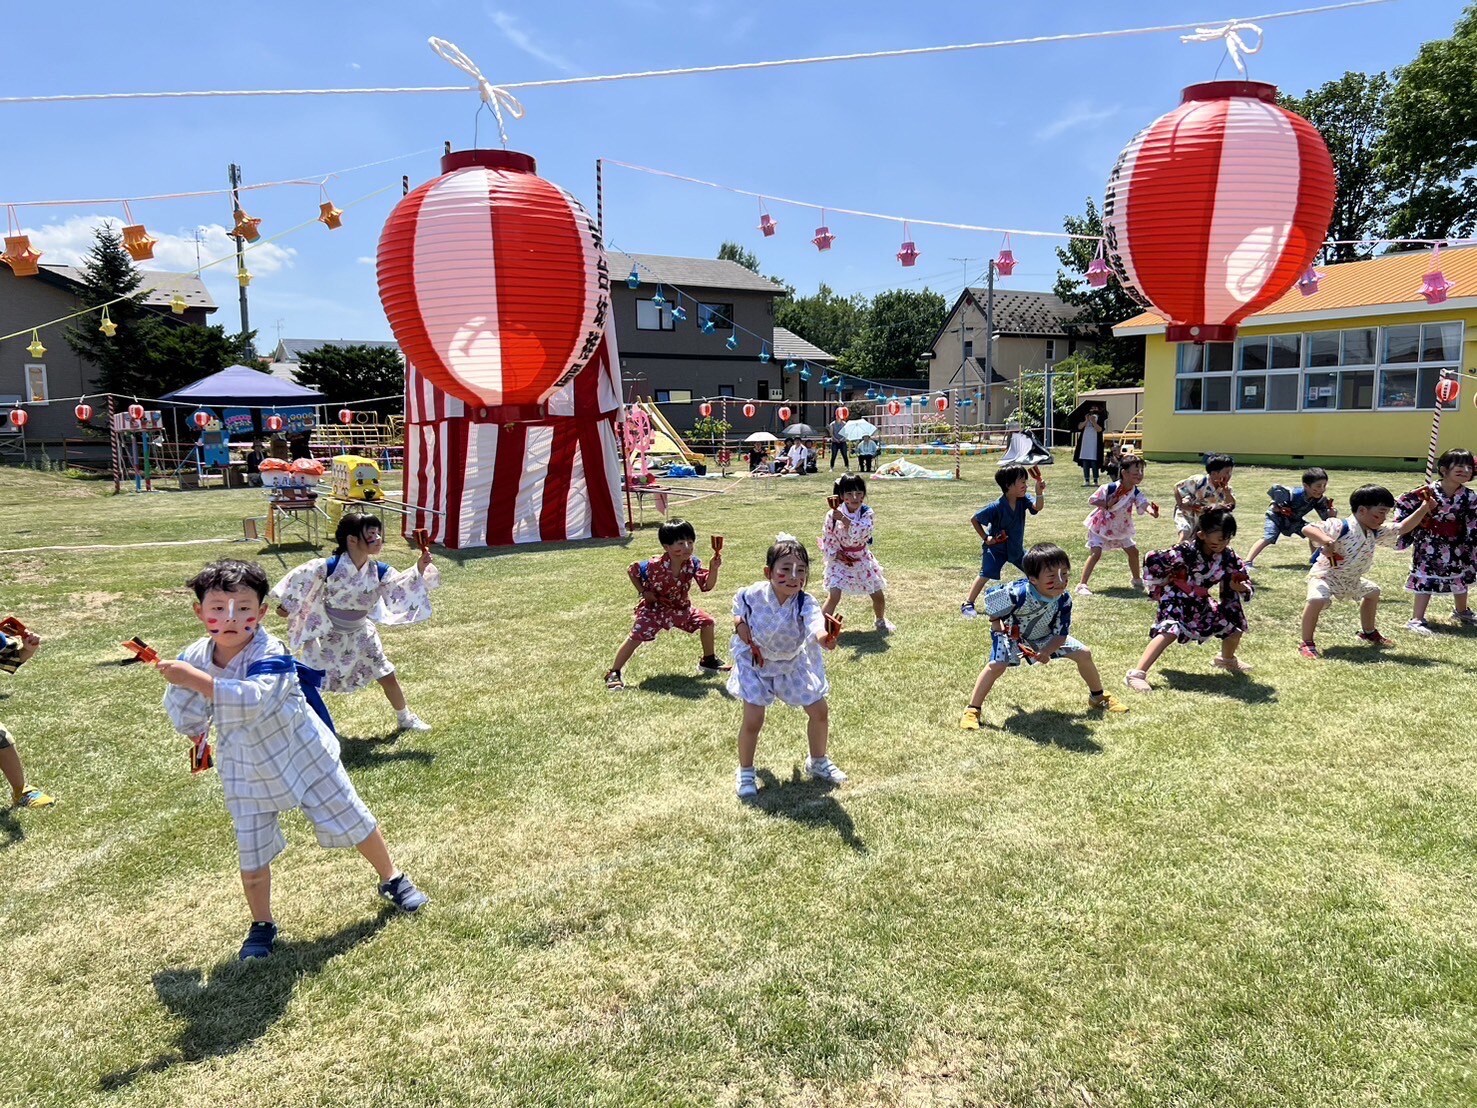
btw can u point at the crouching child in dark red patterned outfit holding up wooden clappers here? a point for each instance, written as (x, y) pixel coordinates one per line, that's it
(665, 603)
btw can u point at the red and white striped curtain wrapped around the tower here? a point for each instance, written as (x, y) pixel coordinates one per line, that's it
(494, 484)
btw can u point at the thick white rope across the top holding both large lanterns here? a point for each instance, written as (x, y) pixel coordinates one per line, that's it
(735, 67)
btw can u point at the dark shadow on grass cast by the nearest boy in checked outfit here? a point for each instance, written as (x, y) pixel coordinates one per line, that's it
(241, 1001)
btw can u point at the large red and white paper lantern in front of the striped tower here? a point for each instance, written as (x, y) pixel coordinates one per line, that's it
(494, 280)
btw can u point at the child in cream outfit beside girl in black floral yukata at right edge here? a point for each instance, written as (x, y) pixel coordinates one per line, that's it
(1346, 550)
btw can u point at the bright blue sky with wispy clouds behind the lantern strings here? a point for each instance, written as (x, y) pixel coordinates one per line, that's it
(1005, 138)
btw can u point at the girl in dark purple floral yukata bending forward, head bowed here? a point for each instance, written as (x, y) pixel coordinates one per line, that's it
(1200, 586)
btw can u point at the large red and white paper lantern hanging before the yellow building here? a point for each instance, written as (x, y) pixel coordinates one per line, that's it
(1216, 209)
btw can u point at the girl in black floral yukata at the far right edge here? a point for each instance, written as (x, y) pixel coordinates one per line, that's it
(1442, 556)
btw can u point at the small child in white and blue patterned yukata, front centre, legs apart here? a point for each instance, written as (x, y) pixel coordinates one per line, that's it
(779, 636)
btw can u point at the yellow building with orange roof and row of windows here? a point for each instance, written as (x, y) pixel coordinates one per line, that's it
(1346, 376)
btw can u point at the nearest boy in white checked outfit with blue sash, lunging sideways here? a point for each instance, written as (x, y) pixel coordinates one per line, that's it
(274, 751)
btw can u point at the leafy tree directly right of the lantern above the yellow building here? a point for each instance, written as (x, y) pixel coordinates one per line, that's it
(1351, 114)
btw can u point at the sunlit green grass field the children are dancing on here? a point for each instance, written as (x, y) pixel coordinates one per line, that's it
(1247, 892)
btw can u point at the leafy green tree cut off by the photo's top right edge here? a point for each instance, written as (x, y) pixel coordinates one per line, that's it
(1429, 153)
